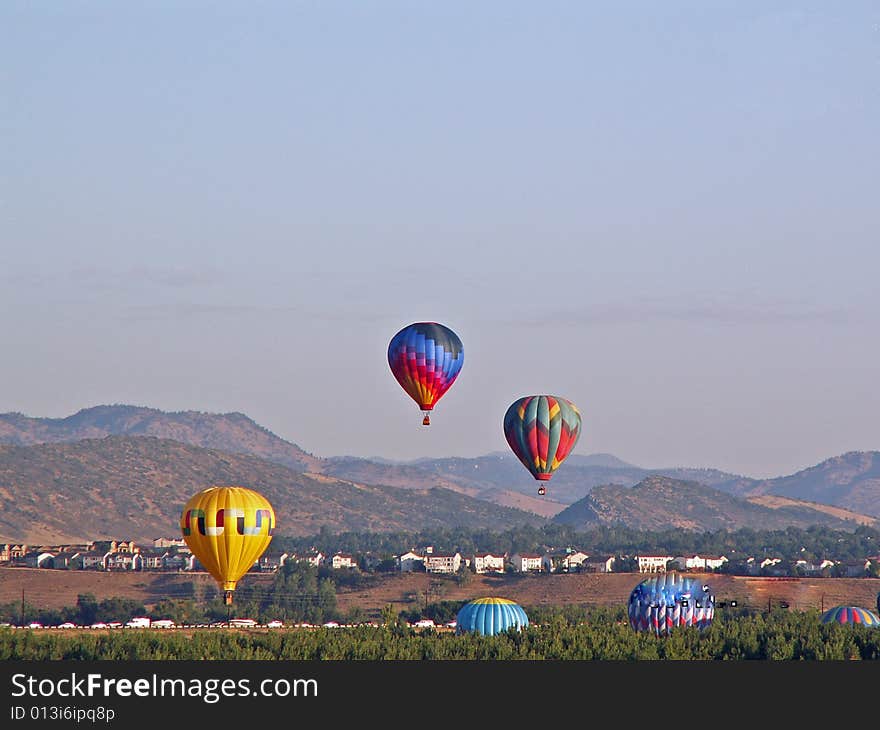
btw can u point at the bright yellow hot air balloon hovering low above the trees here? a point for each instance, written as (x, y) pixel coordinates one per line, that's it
(227, 529)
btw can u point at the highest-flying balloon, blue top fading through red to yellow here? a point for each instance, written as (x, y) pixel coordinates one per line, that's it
(426, 358)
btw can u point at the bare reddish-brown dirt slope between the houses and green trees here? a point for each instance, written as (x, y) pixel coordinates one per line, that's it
(57, 589)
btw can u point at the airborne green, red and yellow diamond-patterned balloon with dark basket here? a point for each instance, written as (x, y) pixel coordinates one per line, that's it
(542, 430)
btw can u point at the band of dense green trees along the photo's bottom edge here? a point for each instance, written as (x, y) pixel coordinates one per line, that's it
(553, 634)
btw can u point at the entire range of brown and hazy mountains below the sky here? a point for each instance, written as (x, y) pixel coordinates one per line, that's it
(125, 471)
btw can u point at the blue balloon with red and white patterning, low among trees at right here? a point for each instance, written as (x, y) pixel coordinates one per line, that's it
(662, 603)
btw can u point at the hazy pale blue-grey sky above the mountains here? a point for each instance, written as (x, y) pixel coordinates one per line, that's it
(668, 213)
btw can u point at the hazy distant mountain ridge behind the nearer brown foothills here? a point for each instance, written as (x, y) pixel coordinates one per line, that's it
(850, 481)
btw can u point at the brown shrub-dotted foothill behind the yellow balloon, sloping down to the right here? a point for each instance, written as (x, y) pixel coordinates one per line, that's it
(134, 487)
